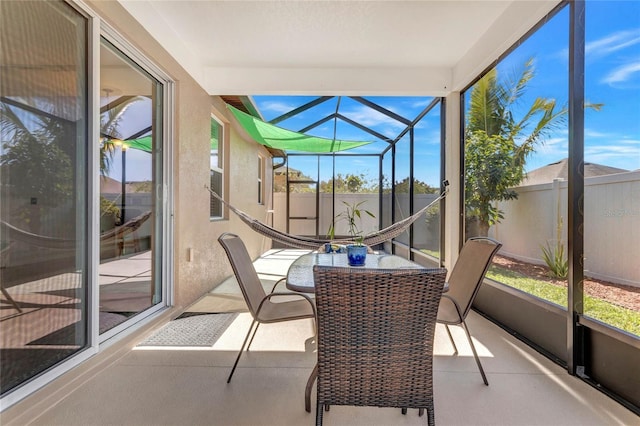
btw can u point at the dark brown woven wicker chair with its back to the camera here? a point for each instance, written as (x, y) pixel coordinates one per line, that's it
(375, 337)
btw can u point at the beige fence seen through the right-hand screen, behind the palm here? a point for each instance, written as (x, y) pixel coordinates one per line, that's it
(611, 225)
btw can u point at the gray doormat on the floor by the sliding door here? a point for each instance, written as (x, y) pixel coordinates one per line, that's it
(196, 330)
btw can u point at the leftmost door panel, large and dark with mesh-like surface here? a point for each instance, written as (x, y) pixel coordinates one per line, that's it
(43, 131)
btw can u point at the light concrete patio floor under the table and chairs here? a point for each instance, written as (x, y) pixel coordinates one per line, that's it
(187, 385)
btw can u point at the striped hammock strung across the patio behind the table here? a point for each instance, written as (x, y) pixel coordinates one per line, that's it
(297, 241)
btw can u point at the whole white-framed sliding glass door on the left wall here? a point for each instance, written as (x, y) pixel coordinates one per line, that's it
(58, 299)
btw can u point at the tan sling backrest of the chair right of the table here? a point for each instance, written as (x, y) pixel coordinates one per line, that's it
(469, 271)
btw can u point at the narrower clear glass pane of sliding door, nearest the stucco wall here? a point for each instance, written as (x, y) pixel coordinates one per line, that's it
(130, 172)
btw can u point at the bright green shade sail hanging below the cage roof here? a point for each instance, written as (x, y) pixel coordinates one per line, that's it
(287, 140)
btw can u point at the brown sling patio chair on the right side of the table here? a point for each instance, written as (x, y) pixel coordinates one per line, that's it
(464, 283)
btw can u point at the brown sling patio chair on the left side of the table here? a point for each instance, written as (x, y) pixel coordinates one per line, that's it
(261, 307)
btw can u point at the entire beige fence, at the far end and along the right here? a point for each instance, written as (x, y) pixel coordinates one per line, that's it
(611, 217)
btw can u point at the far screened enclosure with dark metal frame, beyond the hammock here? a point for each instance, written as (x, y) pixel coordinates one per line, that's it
(356, 151)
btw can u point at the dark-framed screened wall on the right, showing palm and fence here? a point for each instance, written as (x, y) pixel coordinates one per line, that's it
(557, 184)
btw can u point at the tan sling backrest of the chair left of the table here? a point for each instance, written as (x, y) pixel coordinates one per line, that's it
(244, 271)
